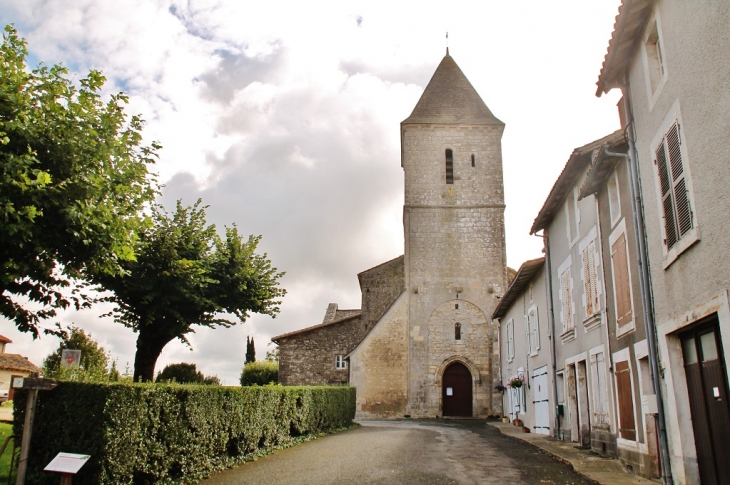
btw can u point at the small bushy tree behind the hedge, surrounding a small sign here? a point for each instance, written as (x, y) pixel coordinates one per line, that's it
(94, 358)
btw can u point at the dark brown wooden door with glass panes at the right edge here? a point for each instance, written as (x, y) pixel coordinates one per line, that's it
(704, 367)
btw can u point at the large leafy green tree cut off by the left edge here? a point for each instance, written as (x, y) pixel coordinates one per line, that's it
(73, 178)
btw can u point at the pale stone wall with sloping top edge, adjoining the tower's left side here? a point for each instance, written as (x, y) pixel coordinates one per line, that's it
(379, 366)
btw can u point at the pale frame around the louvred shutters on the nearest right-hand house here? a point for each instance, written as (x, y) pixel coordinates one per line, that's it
(693, 235)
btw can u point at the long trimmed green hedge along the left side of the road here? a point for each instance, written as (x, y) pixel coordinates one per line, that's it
(154, 433)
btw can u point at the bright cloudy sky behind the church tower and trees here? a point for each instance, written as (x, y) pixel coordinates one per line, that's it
(284, 118)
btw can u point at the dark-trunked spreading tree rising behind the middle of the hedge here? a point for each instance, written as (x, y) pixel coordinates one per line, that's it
(184, 275)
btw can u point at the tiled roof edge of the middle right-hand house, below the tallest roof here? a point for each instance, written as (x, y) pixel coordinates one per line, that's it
(579, 160)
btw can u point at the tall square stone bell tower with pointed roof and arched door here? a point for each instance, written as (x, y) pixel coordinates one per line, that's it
(453, 220)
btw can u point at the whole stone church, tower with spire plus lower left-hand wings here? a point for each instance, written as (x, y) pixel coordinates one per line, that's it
(423, 342)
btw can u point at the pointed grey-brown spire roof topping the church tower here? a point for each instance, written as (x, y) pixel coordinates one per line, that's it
(450, 98)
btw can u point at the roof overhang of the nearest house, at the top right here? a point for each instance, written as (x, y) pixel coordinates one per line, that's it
(630, 24)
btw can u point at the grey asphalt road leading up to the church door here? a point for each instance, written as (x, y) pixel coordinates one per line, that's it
(423, 452)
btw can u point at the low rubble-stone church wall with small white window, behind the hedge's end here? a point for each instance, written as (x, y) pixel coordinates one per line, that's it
(308, 358)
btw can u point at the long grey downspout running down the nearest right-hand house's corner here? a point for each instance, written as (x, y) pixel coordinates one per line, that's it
(637, 207)
